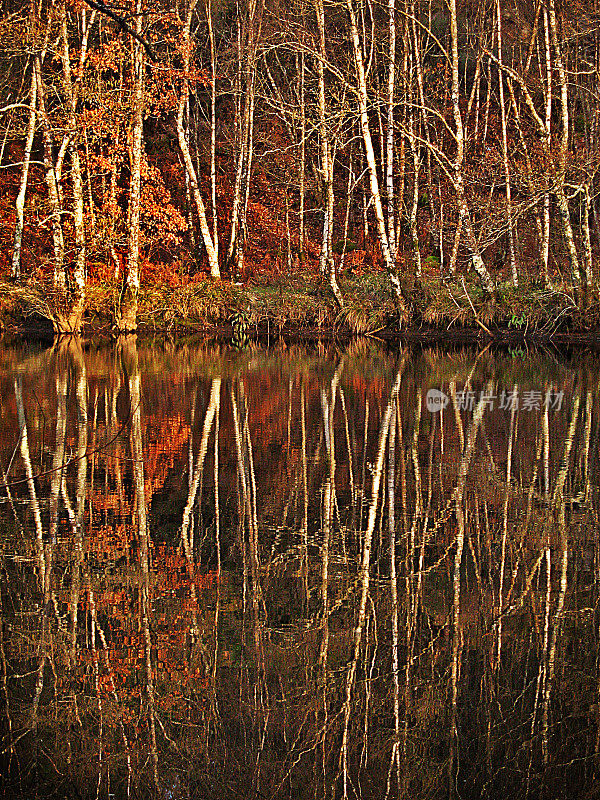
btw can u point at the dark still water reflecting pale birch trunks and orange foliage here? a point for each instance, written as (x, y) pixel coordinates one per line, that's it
(298, 573)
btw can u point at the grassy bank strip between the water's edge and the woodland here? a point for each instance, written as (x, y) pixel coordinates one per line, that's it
(303, 305)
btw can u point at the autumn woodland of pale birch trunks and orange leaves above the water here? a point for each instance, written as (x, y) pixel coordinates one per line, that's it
(354, 165)
